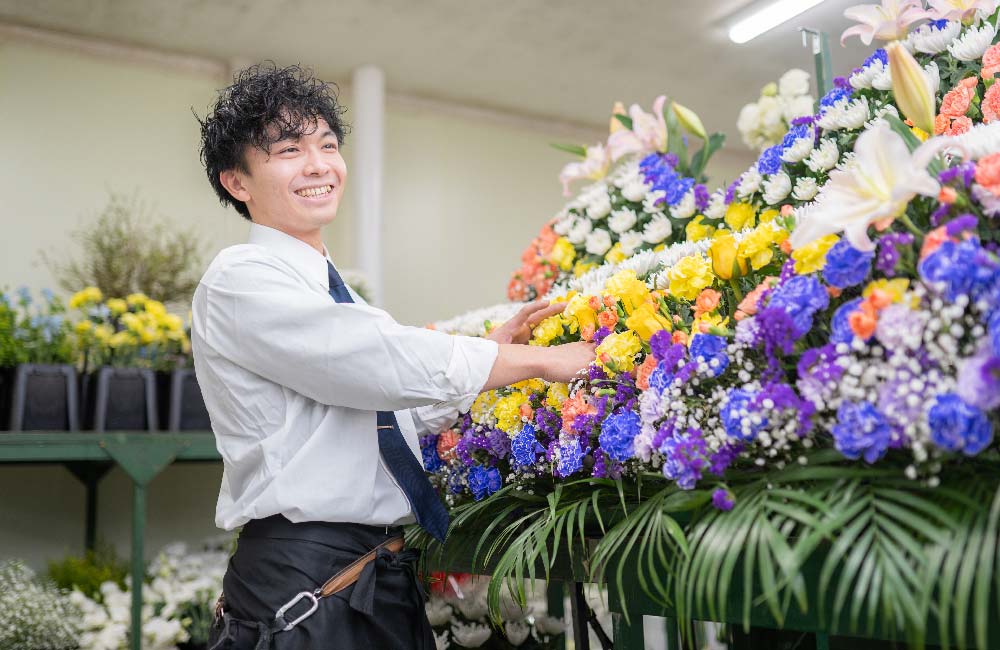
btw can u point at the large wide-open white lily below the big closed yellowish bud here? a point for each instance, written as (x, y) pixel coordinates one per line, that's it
(875, 188)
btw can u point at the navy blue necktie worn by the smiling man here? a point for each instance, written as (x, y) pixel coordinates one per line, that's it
(401, 462)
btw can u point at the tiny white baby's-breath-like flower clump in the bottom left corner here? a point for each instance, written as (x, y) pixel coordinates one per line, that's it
(34, 615)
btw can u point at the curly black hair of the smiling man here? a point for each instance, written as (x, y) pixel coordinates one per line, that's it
(265, 104)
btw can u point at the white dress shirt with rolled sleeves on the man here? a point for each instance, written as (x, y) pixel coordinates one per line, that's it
(292, 380)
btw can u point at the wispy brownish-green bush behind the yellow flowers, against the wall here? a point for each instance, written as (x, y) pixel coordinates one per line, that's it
(128, 249)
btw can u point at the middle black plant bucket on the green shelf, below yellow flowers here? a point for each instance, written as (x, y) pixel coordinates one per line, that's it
(120, 399)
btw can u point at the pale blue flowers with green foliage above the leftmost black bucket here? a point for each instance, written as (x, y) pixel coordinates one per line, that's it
(34, 332)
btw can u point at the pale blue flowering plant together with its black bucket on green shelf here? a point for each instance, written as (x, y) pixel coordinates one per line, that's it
(38, 382)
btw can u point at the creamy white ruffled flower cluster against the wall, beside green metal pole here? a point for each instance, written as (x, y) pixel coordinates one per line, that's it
(764, 122)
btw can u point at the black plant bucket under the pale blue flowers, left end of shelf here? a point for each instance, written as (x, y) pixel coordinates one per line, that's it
(39, 397)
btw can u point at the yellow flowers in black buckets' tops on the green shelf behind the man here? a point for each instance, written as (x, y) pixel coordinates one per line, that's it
(133, 331)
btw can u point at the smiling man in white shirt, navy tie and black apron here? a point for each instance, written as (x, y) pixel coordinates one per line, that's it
(316, 398)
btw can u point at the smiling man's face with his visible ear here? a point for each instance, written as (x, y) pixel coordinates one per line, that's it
(297, 185)
